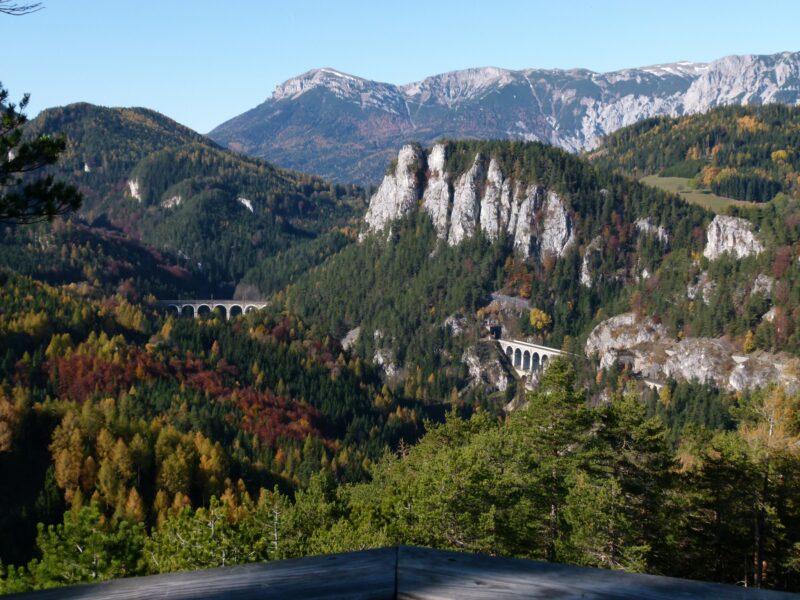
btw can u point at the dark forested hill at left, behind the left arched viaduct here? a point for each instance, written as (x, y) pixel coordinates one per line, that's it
(218, 213)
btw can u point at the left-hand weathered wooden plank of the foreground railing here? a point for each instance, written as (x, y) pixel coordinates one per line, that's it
(368, 575)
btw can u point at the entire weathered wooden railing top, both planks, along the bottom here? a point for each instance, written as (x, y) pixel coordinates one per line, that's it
(403, 572)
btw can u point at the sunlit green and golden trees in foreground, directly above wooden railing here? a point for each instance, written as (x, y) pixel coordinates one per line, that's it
(555, 480)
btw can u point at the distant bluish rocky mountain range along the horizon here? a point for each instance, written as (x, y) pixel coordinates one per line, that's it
(348, 128)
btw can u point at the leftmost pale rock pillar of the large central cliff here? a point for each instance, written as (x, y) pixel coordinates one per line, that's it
(398, 192)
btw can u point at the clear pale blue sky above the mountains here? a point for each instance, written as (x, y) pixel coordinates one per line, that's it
(202, 62)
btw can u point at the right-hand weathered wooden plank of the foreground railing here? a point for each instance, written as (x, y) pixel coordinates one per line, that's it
(424, 574)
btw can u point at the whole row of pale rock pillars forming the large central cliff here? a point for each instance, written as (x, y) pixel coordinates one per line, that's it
(538, 220)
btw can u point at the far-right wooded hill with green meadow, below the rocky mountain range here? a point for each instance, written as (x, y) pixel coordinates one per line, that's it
(747, 153)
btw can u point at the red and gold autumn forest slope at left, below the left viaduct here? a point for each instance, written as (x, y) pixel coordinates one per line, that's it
(103, 400)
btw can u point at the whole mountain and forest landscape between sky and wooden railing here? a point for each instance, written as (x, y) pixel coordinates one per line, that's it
(574, 340)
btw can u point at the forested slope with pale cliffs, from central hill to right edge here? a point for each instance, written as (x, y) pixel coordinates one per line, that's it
(452, 224)
